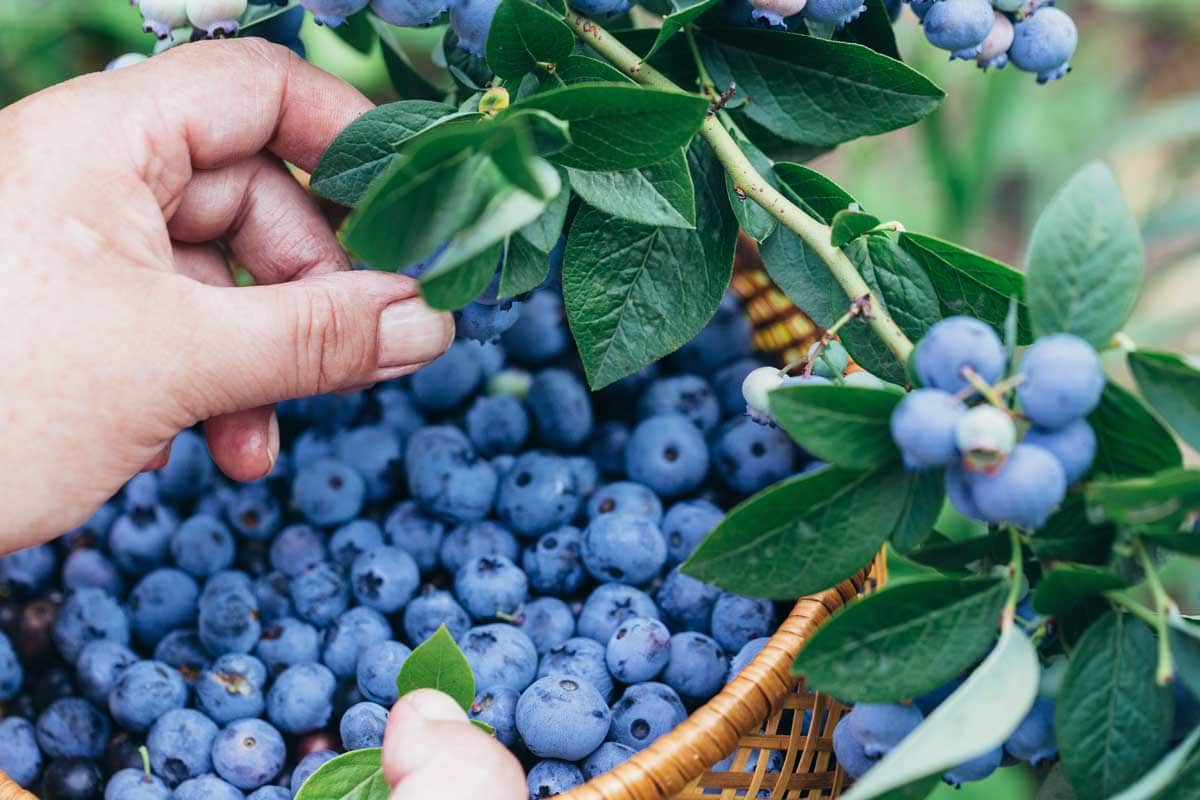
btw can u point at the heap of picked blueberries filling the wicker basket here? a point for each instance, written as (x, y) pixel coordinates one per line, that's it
(244, 634)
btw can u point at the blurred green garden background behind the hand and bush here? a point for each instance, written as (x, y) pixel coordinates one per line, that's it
(977, 173)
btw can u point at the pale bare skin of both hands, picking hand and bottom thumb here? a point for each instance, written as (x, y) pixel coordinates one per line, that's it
(119, 326)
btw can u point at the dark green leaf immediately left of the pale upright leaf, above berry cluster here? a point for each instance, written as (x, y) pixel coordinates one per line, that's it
(971, 285)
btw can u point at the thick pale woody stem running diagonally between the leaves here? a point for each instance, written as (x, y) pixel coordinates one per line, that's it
(746, 178)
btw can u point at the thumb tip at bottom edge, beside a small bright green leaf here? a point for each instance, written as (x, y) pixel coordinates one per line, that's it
(430, 750)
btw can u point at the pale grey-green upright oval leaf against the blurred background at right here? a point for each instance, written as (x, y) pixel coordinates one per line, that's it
(1085, 261)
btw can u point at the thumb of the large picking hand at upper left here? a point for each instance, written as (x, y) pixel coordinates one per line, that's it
(257, 346)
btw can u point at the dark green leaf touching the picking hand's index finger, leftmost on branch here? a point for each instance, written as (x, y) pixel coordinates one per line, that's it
(369, 146)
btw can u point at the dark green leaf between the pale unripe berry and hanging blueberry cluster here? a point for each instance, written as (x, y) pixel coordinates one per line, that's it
(847, 426)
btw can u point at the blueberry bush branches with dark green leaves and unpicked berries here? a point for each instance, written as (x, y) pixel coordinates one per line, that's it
(1034, 503)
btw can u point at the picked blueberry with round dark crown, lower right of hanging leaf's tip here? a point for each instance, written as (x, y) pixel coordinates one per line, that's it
(668, 454)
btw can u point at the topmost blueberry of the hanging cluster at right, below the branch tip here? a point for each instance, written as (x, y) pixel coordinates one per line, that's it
(959, 342)
